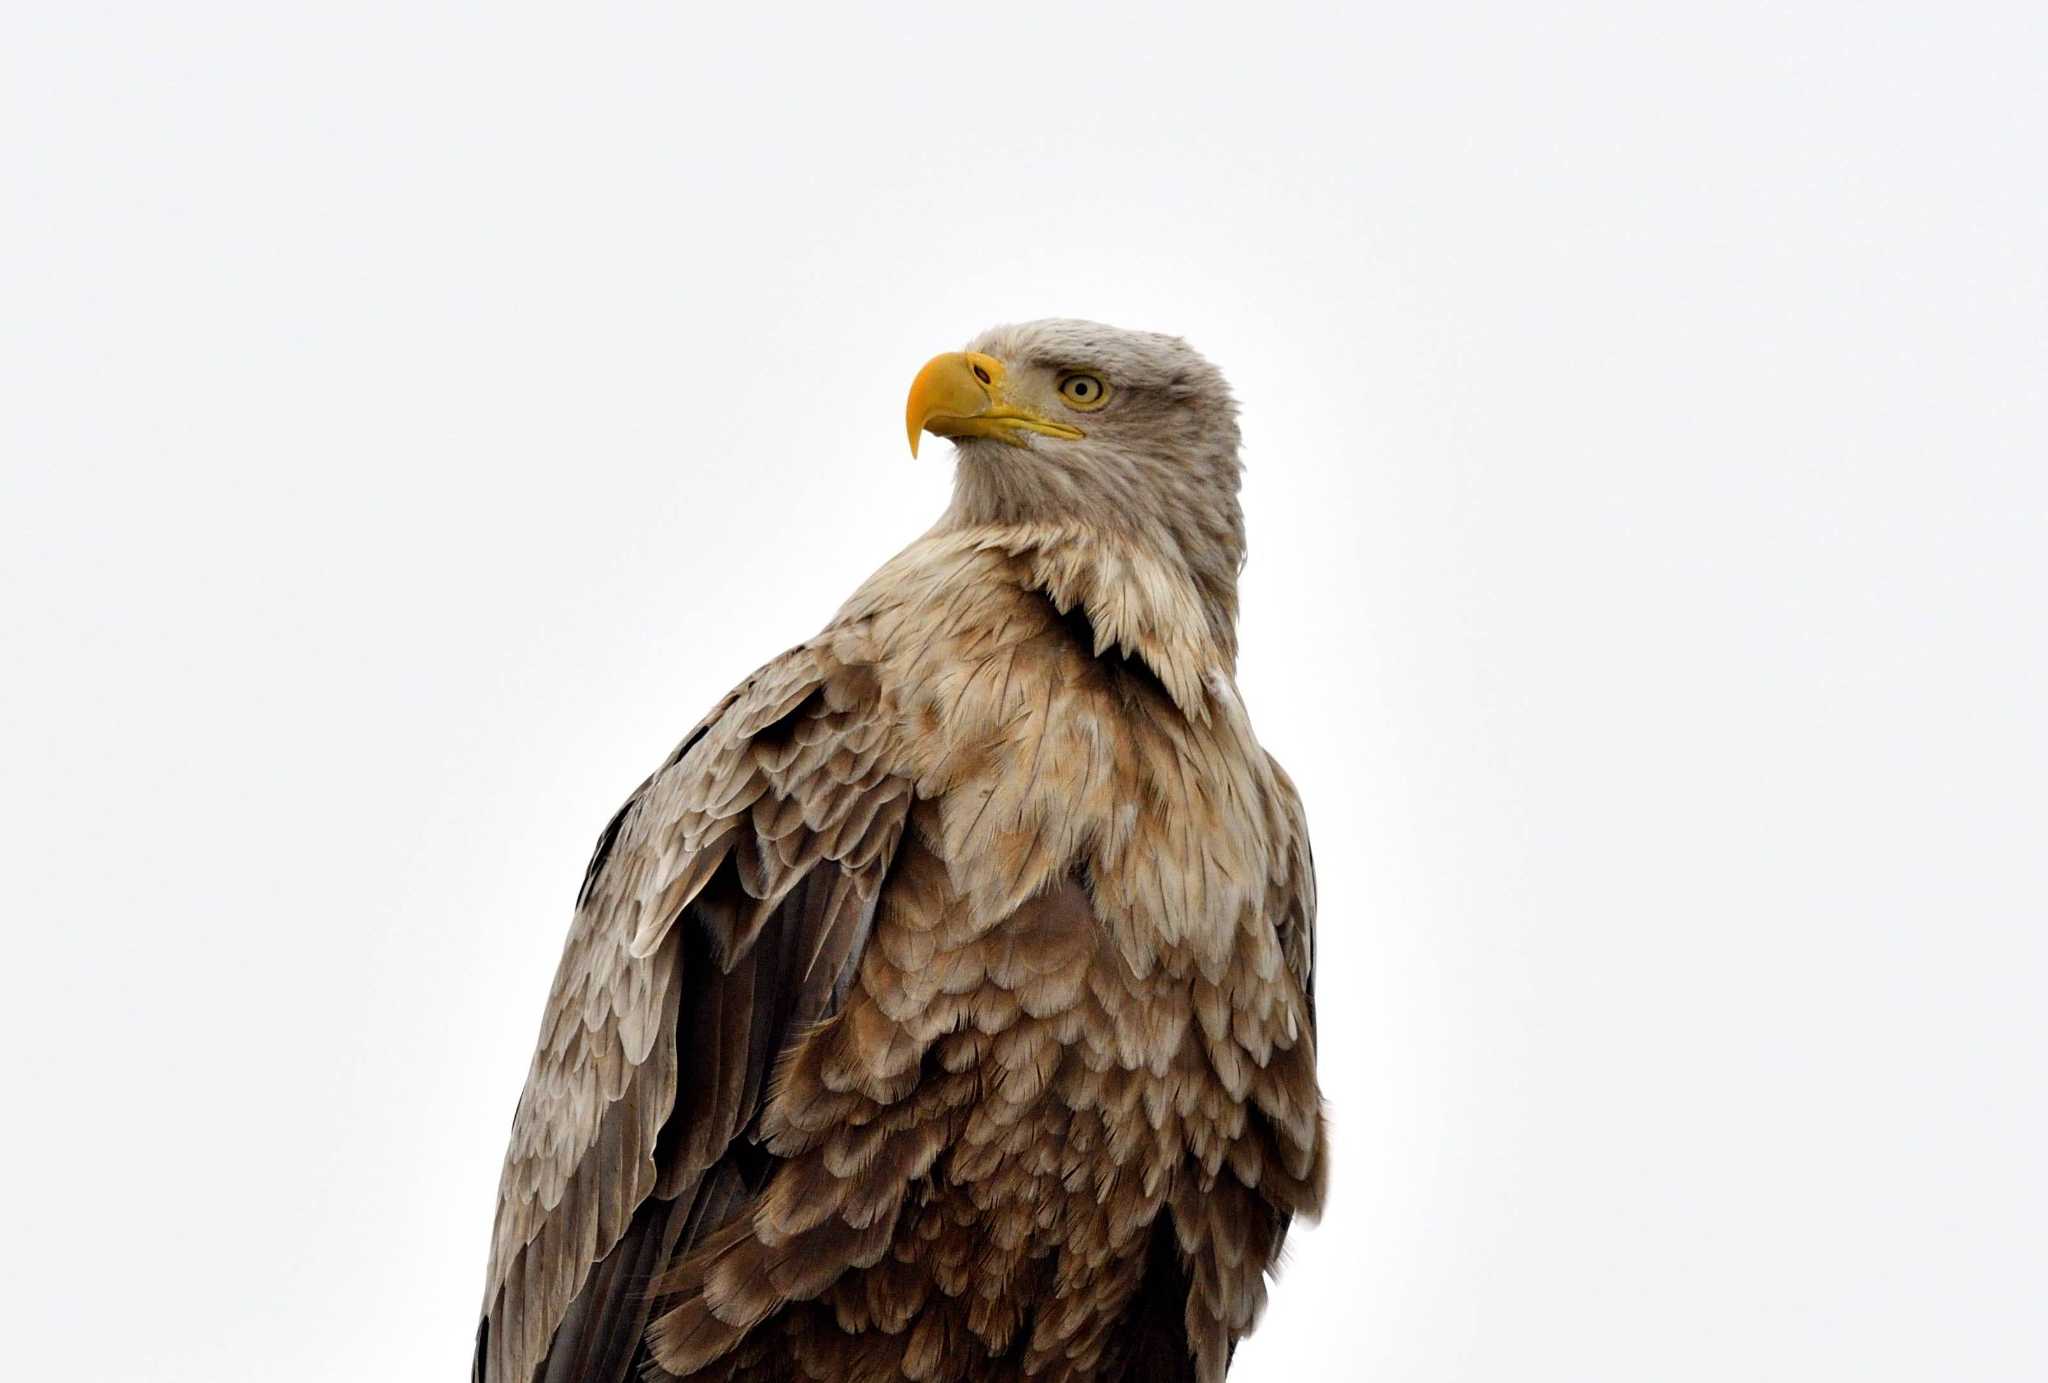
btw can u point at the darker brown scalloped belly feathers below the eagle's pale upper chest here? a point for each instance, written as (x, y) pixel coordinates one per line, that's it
(1027, 1101)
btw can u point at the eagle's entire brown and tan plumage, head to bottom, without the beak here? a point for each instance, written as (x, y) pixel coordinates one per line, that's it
(943, 1009)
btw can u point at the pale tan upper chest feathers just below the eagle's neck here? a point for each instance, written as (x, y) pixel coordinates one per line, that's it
(1043, 757)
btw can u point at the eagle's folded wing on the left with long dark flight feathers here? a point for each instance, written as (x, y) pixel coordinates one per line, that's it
(724, 911)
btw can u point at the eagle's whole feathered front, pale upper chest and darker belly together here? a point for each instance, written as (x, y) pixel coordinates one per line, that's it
(1056, 1034)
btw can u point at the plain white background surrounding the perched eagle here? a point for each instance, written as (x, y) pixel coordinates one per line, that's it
(415, 417)
